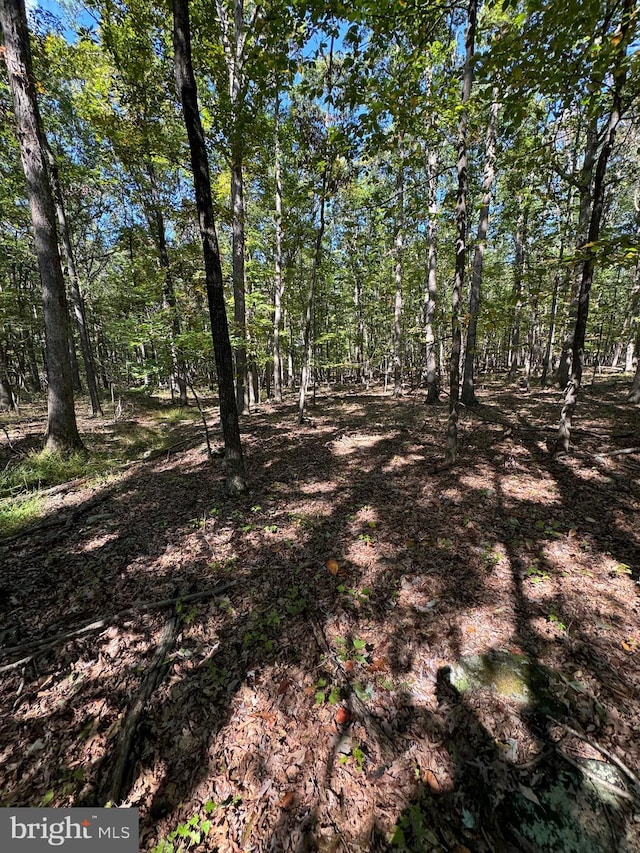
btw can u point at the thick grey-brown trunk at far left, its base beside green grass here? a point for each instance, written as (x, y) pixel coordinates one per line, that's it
(62, 431)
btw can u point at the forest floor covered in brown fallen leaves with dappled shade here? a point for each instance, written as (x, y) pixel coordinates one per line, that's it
(298, 695)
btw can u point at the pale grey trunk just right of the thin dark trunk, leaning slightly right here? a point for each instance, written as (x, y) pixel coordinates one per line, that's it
(468, 386)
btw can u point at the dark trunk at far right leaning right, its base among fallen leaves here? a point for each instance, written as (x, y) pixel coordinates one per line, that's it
(588, 267)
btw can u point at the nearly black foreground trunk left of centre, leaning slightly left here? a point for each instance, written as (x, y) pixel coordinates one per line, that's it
(188, 94)
